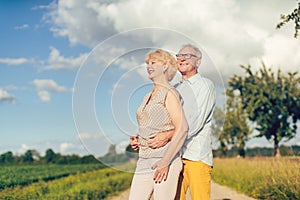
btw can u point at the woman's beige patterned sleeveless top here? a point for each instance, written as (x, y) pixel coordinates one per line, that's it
(153, 117)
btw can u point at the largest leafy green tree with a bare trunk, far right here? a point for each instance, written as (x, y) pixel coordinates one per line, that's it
(271, 101)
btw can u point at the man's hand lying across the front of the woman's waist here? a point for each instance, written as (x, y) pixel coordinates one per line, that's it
(160, 139)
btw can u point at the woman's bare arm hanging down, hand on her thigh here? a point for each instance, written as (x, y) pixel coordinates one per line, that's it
(173, 105)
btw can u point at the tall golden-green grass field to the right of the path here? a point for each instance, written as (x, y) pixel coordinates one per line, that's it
(261, 178)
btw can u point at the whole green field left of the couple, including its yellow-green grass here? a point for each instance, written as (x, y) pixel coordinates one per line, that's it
(86, 182)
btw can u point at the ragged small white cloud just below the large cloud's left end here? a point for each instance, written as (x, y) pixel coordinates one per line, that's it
(57, 62)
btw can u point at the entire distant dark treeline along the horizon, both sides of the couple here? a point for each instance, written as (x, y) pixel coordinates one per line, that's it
(33, 156)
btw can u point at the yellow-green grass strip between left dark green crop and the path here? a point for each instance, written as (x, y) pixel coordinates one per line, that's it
(97, 184)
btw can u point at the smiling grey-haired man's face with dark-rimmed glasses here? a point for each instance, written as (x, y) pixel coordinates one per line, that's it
(187, 61)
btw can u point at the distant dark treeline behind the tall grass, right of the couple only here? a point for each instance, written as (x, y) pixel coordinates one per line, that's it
(293, 150)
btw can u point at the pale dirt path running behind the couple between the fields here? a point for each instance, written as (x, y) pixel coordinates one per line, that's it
(218, 192)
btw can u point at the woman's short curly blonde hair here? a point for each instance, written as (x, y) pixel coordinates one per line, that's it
(166, 58)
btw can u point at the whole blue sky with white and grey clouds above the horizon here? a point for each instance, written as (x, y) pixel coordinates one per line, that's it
(72, 72)
